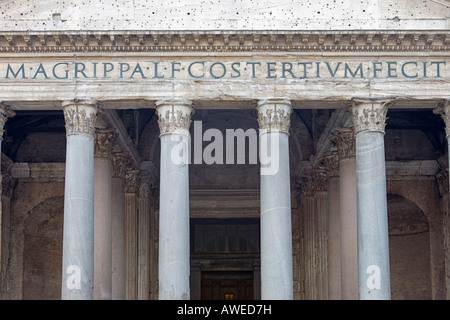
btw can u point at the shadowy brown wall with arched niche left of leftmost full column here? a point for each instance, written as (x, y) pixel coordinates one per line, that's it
(34, 268)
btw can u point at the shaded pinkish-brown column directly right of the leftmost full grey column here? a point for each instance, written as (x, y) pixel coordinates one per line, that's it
(102, 212)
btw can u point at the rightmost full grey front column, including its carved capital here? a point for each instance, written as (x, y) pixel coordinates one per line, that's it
(369, 117)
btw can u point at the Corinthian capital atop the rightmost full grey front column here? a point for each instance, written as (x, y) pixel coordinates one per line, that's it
(369, 114)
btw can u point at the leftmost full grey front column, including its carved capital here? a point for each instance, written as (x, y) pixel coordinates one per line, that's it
(78, 234)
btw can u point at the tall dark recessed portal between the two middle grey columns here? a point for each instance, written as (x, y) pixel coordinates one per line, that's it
(225, 255)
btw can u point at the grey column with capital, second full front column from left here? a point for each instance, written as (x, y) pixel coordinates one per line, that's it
(174, 118)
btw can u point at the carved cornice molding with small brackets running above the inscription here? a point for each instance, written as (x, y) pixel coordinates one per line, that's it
(224, 41)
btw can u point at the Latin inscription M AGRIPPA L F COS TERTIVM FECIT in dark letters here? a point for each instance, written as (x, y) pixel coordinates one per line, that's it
(203, 69)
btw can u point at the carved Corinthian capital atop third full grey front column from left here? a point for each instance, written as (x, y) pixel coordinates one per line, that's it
(274, 115)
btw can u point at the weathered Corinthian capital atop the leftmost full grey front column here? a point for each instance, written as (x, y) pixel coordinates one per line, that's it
(80, 115)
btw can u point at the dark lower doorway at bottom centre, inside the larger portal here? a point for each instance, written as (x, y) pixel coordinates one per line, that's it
(230, 285)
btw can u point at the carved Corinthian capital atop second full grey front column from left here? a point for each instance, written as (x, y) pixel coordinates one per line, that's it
(174, 115)
